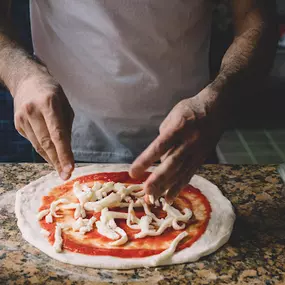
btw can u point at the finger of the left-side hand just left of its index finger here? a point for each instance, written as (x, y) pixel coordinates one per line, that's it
(42, 135)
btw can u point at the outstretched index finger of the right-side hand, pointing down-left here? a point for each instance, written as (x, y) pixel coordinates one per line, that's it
(153, 153)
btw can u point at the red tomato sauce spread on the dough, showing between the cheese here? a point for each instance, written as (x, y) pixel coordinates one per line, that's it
(71, 244)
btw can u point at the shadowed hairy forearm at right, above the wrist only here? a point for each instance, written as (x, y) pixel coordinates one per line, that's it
(248, 60)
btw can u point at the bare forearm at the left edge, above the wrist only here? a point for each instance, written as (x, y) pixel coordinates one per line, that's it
(15, 63)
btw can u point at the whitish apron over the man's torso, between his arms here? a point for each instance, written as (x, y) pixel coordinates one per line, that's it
(123, 65)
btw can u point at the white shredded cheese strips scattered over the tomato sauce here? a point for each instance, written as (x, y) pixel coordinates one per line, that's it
(99, 198)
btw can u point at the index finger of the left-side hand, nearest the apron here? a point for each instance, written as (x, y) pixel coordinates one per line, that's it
(61, 137)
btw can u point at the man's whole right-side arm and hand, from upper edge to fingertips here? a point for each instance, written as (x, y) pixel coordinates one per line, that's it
(194, 126)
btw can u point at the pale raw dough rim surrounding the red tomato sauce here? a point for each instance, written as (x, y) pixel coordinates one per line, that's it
(29, 199)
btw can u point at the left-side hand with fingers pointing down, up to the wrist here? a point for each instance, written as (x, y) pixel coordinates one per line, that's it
(44, 116)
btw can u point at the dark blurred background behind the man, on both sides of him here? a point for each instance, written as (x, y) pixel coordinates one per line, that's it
(256, 136)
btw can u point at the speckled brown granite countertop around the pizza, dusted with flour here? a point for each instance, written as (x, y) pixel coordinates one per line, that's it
(255, 253)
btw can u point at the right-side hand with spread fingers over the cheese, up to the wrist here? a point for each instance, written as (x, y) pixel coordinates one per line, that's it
(187, 136)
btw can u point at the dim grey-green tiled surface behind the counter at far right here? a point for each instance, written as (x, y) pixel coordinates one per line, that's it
(242, 146)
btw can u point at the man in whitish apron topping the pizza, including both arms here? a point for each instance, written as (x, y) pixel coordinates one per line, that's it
(128, 68)
